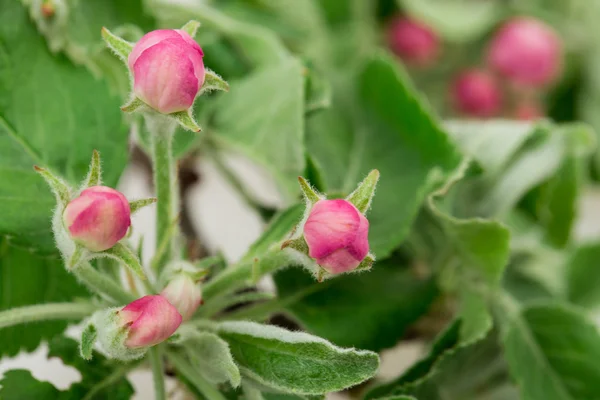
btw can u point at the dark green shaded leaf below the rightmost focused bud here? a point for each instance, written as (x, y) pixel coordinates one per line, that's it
(384, 302)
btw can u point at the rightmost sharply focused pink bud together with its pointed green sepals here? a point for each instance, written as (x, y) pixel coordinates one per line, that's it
(333, 236)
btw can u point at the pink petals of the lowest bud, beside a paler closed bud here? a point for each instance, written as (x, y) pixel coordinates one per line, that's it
(149, 320)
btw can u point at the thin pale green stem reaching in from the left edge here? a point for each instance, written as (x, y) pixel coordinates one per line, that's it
(45, 312)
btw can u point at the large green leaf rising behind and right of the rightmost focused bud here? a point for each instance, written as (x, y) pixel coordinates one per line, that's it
(404, 142)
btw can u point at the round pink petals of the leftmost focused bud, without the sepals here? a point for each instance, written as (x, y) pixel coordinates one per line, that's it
(98, 218)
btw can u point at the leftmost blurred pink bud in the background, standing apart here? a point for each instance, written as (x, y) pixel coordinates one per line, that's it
(413, 41)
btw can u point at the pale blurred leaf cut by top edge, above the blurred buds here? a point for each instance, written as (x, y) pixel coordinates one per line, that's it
(455, 20)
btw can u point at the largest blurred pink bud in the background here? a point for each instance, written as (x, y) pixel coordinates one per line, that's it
(526, 51)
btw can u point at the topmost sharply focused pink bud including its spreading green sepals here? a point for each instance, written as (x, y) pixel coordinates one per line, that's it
(167, 71)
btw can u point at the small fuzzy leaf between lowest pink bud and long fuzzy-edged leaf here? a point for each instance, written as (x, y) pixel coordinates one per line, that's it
(212, 356)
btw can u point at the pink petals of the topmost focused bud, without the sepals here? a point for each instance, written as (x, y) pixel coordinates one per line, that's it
(168, 70)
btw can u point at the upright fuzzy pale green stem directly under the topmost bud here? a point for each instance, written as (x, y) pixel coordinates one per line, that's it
(162, 130)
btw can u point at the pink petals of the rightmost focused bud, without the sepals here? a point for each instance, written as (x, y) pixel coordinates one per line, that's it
(337, 235)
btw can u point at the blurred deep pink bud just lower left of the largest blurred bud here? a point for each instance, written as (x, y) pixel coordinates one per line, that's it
(476, 93)
